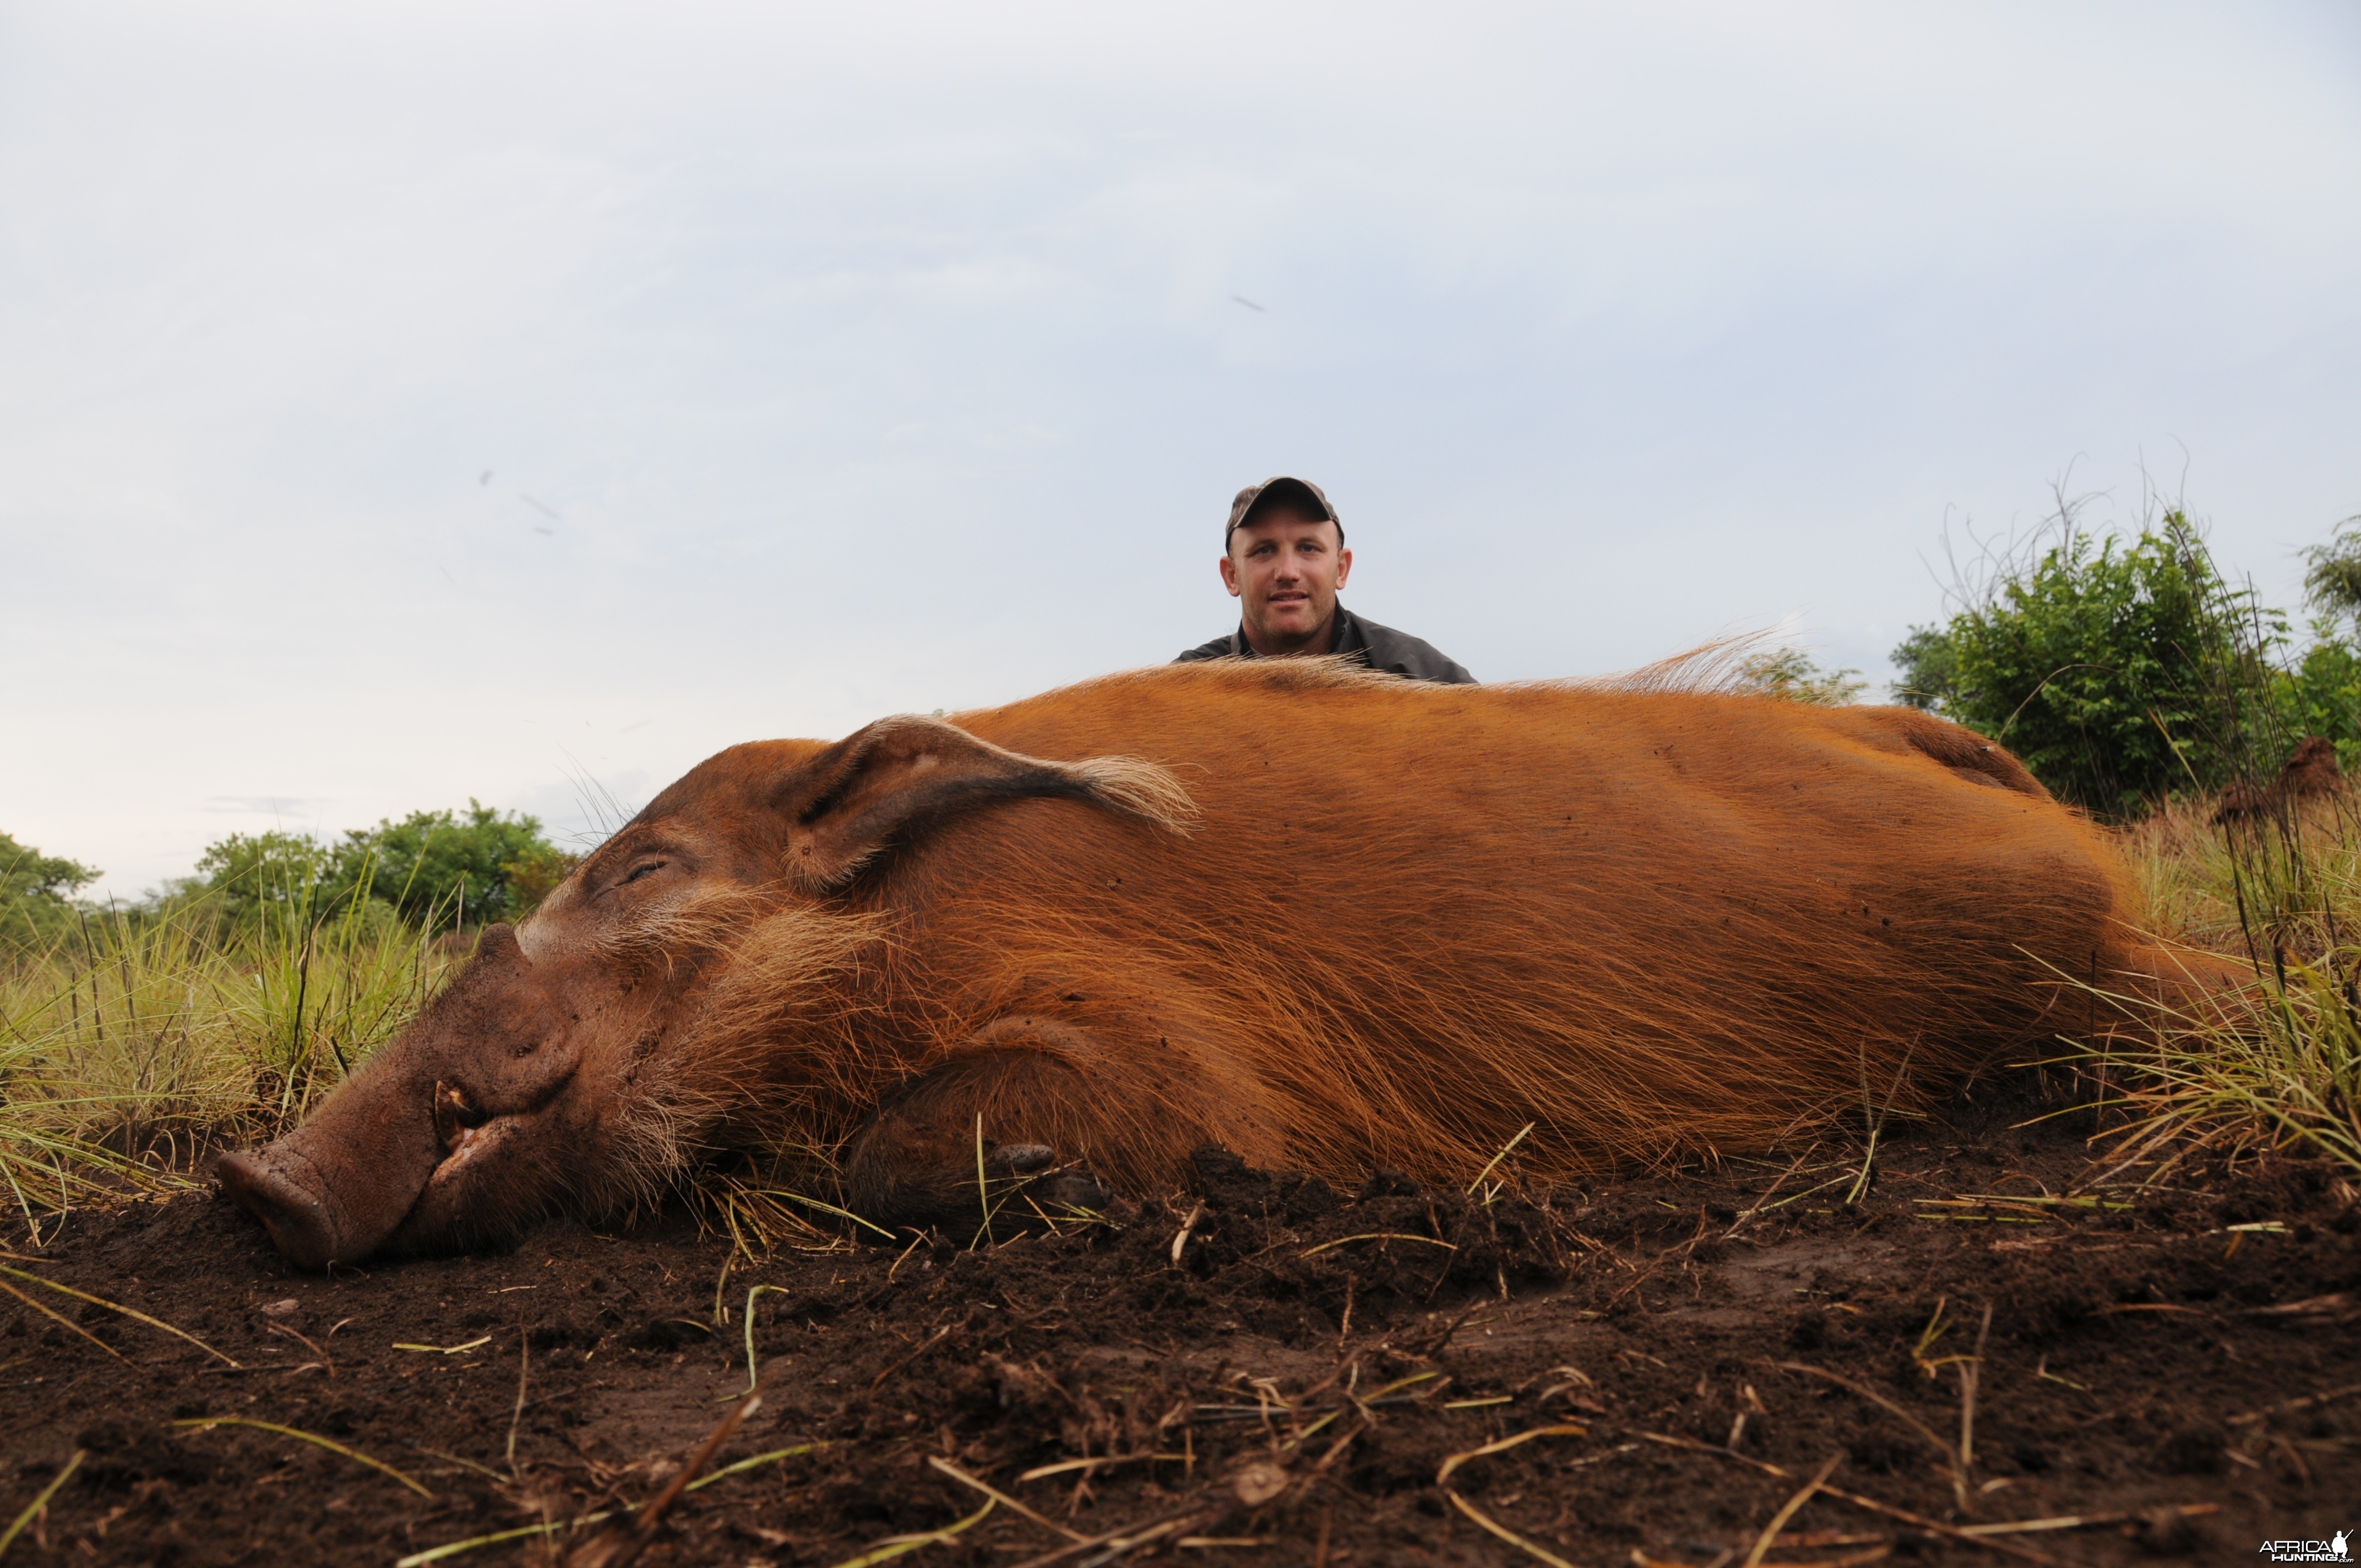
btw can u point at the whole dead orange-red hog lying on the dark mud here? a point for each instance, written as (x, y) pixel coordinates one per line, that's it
(1321, 917)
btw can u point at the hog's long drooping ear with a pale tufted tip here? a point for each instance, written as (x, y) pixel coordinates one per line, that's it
(851, 799)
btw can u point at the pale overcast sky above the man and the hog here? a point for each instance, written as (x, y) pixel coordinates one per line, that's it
(419, 403)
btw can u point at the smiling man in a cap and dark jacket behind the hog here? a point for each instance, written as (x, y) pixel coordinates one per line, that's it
(1283, 558)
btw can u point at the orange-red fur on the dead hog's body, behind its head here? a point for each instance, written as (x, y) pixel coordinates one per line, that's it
(1418, 917)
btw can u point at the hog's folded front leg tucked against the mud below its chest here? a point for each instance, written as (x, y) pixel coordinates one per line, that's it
(1059, 1113)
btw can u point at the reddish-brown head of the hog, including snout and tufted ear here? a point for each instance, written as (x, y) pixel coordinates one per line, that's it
(589, 1057)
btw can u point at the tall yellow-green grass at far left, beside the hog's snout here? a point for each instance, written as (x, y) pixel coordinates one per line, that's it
(136, 1043)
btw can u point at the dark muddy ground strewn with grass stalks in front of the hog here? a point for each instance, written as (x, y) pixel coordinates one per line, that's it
(2178, 1366)
